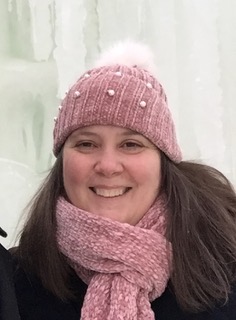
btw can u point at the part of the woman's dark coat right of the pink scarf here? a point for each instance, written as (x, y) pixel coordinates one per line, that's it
(166, 307)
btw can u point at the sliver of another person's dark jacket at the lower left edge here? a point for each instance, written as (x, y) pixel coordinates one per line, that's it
(8, 303)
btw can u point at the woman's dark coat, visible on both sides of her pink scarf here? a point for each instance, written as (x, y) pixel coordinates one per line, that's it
(36, 303)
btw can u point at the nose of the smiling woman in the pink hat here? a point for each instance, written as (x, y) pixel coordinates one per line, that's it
(108, 163)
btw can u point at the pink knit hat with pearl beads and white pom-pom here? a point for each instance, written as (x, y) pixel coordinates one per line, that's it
(120, 92)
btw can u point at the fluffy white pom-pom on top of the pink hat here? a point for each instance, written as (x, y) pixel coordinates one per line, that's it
(128, 53)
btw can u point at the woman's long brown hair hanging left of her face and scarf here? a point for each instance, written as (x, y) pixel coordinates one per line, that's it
(37, 251)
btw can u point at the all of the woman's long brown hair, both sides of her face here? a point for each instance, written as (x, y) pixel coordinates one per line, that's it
(201, 227)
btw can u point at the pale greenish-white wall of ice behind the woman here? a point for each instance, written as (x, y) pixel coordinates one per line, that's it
(46, 44)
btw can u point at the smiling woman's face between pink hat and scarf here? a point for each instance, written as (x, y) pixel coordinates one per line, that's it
(112, 172)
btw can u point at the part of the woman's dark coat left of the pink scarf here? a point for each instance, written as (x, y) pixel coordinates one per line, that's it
(37, 303)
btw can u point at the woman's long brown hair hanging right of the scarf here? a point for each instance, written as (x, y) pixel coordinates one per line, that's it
(202, 229)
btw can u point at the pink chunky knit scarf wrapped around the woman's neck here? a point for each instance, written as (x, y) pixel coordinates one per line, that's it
(124, 266)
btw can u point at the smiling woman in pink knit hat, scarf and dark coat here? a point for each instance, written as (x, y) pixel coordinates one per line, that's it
(122, 228)
